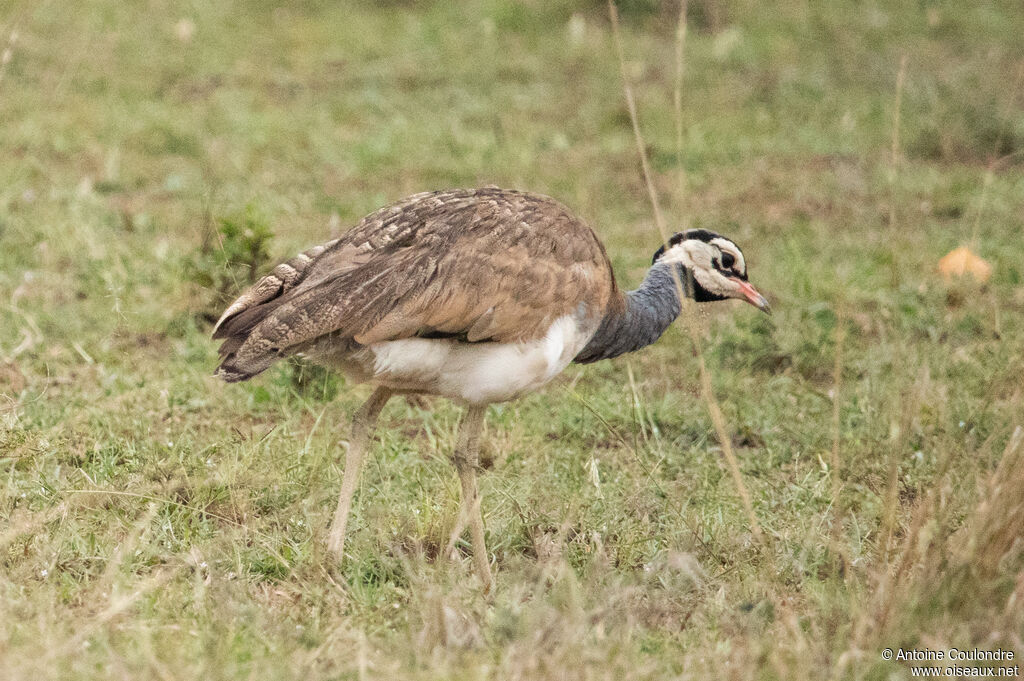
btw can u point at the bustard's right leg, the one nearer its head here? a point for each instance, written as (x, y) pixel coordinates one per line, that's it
(466, 461)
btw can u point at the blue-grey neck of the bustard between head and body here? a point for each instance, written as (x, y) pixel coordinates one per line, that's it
(641, 319)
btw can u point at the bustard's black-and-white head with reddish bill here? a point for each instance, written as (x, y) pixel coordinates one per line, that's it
(711, 267)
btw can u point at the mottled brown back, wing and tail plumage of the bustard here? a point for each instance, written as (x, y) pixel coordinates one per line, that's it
(478, 266)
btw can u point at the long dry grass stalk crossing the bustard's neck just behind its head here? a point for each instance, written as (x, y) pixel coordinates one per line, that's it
(718, 419)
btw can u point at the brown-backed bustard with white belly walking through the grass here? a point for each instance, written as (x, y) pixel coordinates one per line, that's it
(478, 295)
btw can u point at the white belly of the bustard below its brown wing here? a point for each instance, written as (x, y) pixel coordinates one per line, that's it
(476, 373)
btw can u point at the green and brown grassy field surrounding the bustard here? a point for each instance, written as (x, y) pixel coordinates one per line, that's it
(157, 524)
